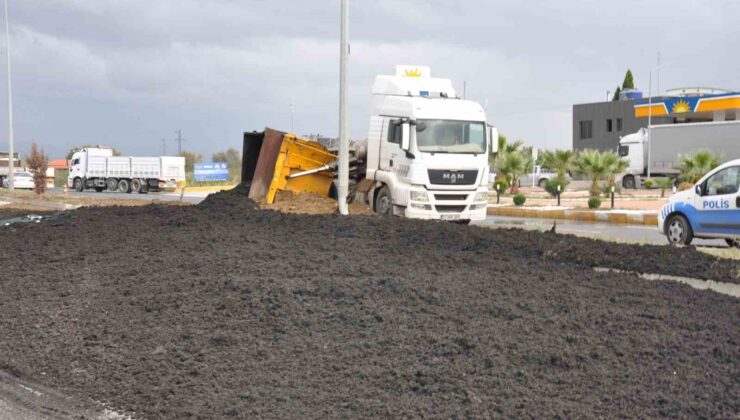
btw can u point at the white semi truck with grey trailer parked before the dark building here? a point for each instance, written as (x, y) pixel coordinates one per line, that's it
(669, 141)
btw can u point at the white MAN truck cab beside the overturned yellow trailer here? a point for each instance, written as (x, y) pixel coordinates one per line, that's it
(427, 149)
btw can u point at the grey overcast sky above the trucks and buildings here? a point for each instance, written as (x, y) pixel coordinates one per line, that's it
(128, 73)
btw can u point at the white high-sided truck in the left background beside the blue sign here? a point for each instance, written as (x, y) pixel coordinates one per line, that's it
(97, 168)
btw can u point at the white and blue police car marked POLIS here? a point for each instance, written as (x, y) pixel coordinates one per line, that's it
(709, 210)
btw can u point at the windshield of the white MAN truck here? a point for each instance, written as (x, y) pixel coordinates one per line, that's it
(445, 136)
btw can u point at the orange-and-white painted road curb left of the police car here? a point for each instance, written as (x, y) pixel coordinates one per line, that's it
(602, 216)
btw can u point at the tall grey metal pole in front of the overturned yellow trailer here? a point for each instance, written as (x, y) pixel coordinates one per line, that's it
(343, 186)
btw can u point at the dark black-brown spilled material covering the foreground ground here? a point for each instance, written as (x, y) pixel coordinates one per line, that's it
(224, 310)
